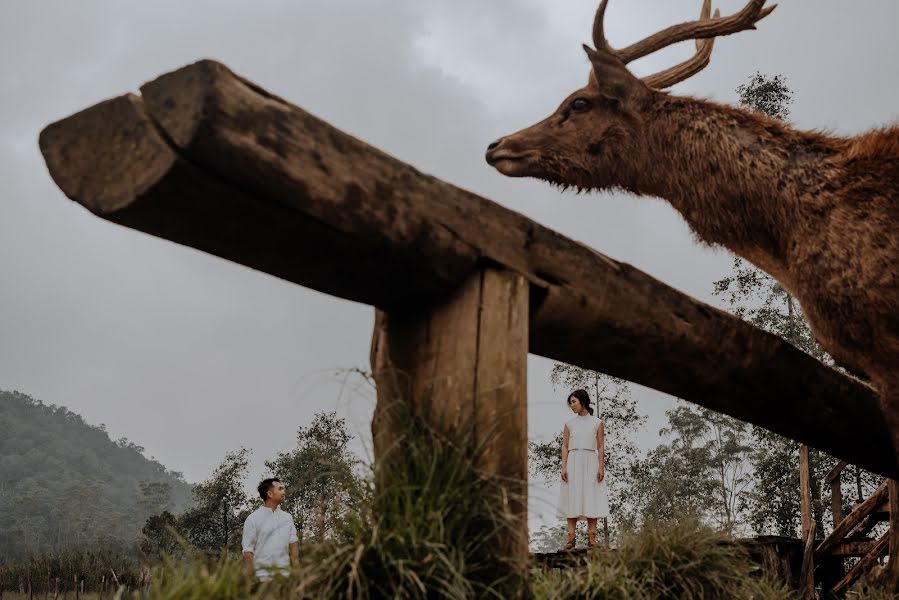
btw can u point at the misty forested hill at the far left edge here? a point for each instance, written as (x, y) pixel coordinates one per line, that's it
(65, 484)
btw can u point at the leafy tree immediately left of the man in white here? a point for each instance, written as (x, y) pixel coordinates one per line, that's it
(220, 506)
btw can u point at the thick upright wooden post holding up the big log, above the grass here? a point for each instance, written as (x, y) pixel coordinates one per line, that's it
(464, 359)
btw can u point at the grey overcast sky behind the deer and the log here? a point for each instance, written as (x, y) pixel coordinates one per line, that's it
(191, 356)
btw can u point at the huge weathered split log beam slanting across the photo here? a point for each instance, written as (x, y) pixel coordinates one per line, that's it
(209, 160)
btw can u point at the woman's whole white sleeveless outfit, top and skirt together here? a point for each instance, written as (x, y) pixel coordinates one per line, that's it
(583, 497)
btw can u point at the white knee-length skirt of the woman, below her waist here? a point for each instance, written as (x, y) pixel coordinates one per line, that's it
(583, 497)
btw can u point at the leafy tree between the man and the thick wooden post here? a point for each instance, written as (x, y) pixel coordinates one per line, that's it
(319, 476)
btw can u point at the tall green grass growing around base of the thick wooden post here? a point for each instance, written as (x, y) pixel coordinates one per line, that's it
(429, 530)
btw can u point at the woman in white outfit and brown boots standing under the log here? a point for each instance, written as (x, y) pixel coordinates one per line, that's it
(583, 493)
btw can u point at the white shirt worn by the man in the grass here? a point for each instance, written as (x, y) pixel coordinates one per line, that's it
(267, 533)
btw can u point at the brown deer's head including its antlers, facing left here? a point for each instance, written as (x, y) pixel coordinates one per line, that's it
(598, 137)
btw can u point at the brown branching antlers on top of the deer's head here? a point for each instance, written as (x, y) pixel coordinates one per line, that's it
(703, 30)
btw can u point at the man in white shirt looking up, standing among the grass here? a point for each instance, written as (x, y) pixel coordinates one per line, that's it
(269, 534)
